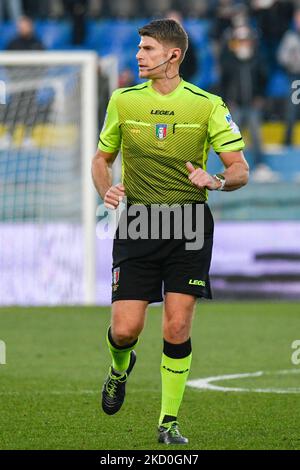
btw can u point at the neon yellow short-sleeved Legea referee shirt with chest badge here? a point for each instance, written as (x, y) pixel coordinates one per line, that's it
(158, 134)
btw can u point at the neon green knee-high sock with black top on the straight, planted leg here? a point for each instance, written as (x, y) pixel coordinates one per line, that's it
(175, 367)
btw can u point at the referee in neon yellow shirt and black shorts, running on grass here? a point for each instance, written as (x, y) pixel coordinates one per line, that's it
(164, 128)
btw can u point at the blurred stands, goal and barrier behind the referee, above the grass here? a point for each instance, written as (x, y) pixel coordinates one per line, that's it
(247, 51)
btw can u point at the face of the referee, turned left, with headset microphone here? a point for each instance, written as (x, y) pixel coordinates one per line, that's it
(152, 53)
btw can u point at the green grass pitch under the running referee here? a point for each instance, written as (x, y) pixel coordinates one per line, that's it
(57, 360)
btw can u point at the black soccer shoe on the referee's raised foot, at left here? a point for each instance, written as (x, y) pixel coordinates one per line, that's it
(113, 391)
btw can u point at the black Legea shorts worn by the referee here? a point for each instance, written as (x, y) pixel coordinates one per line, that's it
(144, 268)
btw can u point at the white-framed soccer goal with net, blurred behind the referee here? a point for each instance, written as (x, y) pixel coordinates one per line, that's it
(49, 123)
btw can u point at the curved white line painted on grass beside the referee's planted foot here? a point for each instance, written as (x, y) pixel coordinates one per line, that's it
(207, 383)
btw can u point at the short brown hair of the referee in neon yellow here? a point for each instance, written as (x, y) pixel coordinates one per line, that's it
(167, 31)
